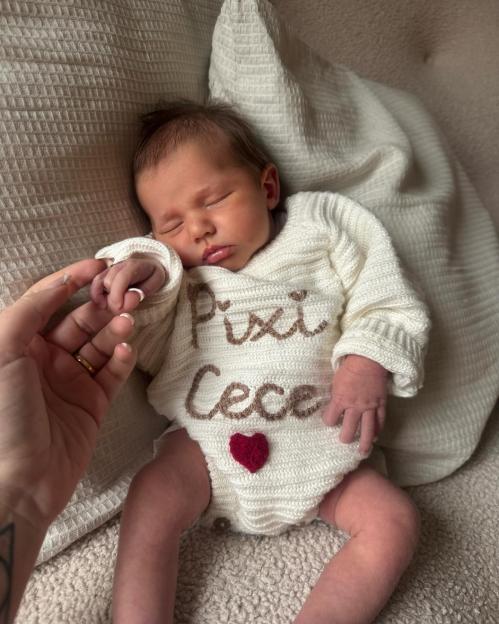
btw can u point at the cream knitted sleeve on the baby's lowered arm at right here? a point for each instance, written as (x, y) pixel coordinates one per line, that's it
(383, 317)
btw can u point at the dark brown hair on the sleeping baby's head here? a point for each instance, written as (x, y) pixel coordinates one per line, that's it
(174, 123)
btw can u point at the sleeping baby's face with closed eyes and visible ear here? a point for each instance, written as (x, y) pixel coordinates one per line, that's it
(207, 206)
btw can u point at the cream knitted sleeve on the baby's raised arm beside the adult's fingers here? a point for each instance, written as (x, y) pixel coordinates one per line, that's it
(155, 315)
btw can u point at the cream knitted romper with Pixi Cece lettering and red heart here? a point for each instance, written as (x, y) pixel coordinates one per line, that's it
(244, 361)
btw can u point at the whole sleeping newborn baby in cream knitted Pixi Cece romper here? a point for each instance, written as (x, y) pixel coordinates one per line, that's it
(274, 330)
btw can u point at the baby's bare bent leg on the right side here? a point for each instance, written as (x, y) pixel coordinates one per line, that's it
(383, 525)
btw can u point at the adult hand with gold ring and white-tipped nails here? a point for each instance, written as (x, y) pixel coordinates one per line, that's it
(50, 405)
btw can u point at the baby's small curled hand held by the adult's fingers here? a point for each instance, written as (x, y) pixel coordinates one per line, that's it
(122, 286)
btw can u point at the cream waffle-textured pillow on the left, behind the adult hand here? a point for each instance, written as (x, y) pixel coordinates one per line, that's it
(75, 74)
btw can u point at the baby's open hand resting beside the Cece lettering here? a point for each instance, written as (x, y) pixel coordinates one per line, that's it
(358, 395)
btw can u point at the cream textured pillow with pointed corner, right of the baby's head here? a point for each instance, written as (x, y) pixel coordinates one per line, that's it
(330, 130)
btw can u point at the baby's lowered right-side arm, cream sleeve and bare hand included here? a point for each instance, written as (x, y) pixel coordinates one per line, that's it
(384, 323)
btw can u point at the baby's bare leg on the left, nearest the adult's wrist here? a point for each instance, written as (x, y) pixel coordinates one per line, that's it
(164, 499)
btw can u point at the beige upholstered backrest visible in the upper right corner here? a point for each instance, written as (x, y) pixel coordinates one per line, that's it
(444, 52)
